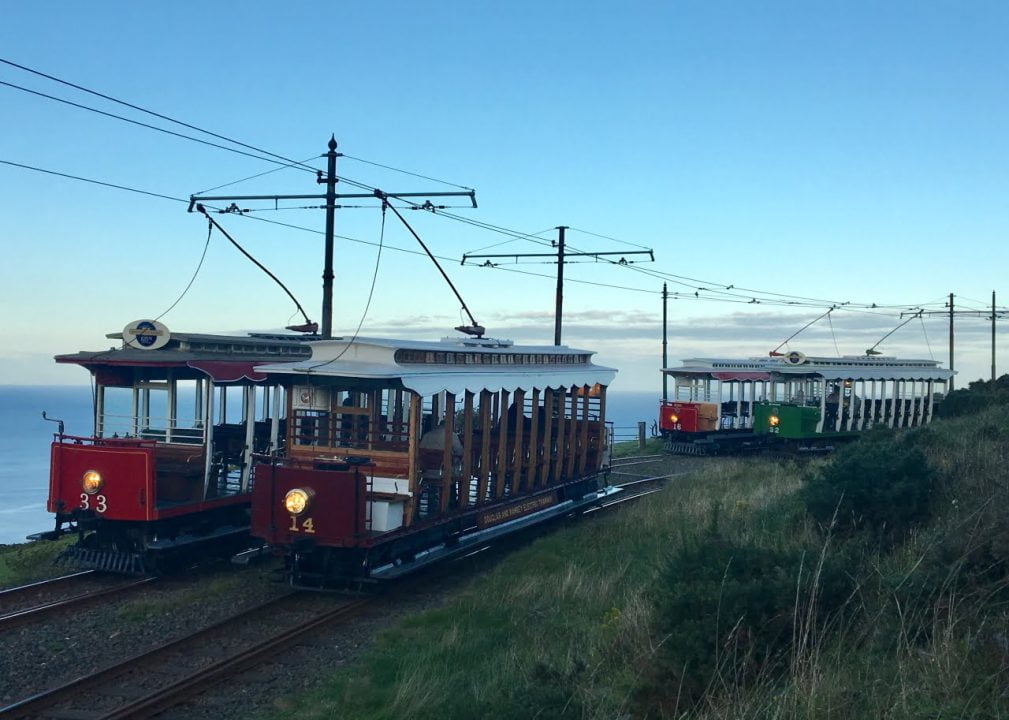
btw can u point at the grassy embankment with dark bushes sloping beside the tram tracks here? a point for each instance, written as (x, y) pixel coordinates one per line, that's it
(872, 584)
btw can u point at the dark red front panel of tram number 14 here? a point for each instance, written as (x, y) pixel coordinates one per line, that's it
(335, 518)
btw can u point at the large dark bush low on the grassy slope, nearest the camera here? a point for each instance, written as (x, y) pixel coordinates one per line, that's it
(728, 611)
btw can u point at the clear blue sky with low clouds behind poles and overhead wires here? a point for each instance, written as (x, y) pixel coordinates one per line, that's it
(851, 152)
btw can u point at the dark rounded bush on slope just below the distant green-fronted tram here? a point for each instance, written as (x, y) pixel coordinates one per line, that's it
(881, 484)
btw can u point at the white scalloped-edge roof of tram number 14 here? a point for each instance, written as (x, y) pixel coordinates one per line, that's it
(453, 365)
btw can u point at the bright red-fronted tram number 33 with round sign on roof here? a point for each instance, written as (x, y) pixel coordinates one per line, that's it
(168, 466)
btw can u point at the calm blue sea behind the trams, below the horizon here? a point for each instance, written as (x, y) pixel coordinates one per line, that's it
(26, 438)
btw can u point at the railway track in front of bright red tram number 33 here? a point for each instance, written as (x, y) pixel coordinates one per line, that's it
(36, 602)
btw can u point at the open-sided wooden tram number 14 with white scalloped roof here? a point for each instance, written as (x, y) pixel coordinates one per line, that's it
(404, 453)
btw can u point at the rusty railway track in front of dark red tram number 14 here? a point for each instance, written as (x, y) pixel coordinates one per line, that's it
(155, 681)
